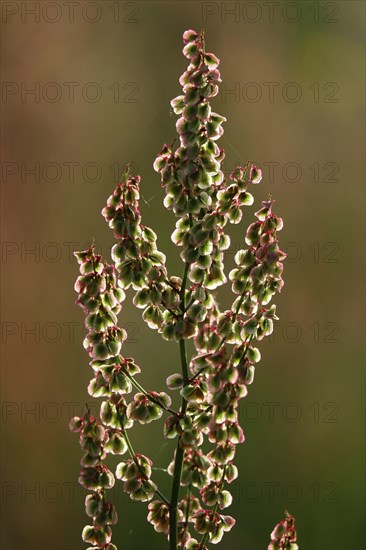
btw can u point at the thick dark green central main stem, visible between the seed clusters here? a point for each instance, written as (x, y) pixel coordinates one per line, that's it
(179, 454)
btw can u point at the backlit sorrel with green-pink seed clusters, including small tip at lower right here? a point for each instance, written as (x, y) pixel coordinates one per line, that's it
(212, 382)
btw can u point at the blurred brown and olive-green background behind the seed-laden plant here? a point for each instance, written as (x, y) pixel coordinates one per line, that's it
(103, 74)
